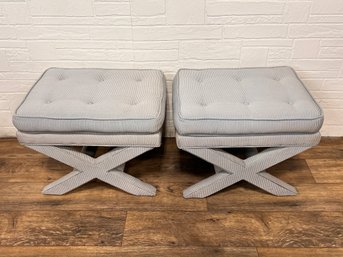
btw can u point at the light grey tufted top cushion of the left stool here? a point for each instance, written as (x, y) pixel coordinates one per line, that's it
(94, 100)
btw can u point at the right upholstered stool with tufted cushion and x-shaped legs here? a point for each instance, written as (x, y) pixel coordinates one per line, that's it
(267, 108)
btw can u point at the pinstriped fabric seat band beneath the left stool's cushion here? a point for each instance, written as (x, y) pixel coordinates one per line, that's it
(135, 140)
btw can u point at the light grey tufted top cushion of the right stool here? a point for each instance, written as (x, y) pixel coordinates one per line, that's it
(243, 101)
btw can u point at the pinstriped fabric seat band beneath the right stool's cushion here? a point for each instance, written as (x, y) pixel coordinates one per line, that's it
(283, 140)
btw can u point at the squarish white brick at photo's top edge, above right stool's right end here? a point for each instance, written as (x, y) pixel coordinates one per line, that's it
(297, 11)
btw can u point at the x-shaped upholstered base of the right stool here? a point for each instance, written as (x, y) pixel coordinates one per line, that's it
(231, 169)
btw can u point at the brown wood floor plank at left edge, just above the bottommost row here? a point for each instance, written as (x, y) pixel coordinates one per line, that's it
(61, 228)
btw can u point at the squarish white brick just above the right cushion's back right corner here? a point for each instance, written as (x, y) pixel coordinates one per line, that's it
(306, 48)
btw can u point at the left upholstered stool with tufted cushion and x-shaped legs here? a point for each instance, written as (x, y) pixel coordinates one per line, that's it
(123, 109)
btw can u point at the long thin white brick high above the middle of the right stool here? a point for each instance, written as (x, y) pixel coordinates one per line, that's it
(255, 31)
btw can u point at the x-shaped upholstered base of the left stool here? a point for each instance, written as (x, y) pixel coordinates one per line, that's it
(108, 168)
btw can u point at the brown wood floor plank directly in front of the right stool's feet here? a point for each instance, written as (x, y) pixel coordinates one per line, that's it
(310, 197)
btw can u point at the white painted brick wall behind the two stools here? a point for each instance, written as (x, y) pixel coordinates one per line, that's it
(171, 34)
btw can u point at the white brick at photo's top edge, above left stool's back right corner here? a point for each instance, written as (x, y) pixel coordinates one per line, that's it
(147, 7)
